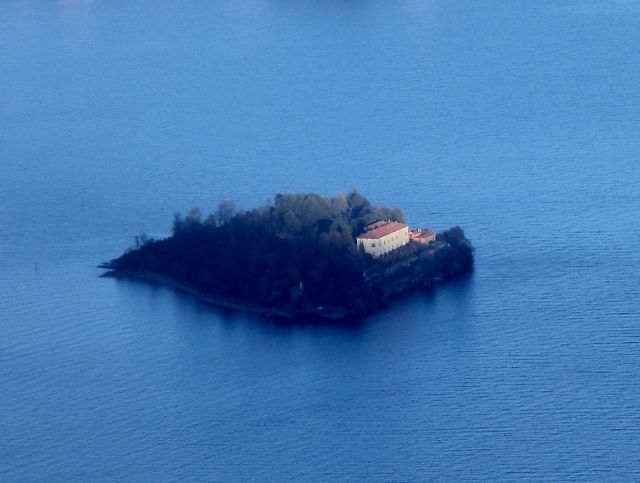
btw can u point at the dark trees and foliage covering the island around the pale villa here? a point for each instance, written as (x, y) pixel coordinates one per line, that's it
(298, 251)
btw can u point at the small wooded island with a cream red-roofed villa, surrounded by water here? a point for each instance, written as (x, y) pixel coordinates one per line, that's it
(299, 255)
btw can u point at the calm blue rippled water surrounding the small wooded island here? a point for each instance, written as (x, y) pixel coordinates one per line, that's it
(517, 120)
